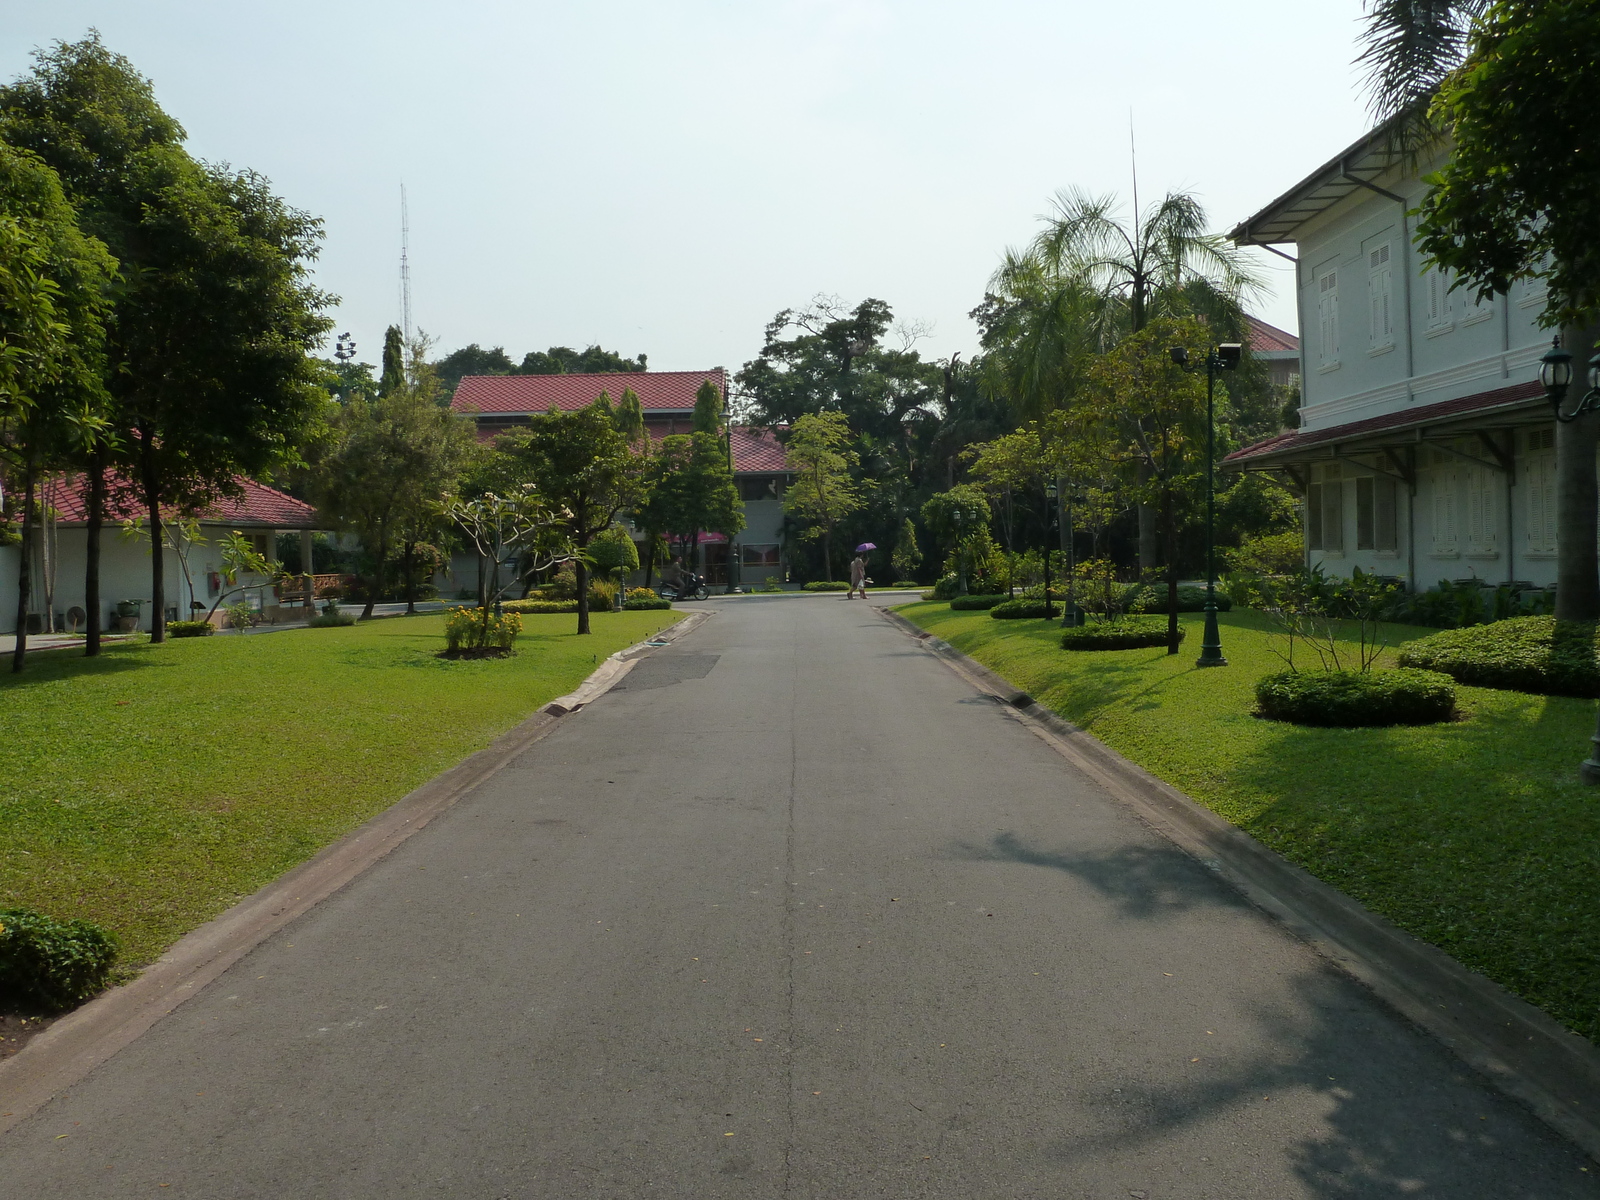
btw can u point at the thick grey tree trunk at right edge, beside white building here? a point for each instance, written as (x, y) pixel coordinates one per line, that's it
(1578, 580)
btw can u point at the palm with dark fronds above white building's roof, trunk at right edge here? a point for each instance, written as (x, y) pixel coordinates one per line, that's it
(1412, 47)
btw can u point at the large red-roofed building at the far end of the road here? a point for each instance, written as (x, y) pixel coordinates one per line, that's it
(503, 402)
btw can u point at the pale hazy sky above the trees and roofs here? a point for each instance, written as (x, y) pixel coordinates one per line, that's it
(665, 177)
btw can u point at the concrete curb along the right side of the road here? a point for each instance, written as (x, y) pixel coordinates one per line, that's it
(1521, 1050)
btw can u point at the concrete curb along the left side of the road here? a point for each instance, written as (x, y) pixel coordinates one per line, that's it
(87, 1038)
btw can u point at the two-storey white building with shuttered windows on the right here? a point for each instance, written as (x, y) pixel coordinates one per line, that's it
(1426, 449)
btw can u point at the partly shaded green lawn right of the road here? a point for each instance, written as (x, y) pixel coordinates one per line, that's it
(1473, 836)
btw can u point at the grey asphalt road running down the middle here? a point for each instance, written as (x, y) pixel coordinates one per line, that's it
(790, 914)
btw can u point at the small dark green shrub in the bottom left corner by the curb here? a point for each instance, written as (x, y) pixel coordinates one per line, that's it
(50, 964)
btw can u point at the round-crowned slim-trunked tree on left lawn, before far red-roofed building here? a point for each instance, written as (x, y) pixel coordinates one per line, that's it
(583, 466)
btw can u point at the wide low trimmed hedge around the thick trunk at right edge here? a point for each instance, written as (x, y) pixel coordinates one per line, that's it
(1527, 654)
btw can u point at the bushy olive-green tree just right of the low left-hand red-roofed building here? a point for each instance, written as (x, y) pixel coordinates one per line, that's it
(394, 463)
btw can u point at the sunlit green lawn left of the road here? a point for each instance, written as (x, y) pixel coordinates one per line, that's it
(153, 788)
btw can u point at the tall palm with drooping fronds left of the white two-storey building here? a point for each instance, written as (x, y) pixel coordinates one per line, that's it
(1089, 281)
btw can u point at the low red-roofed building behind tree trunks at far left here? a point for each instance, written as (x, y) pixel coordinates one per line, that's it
(193, 569)
